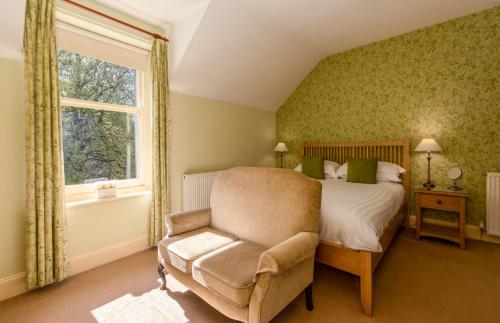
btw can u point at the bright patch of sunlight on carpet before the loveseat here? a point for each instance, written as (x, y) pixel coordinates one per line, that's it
(154, 306)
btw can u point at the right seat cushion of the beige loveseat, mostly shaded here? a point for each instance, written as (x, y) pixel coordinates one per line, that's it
(230, 271)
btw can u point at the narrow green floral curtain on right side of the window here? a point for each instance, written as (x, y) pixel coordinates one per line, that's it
(161, 137)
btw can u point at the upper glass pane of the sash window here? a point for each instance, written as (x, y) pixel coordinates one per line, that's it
(90, 79)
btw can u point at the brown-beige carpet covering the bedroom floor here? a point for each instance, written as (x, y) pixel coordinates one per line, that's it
(417, 281)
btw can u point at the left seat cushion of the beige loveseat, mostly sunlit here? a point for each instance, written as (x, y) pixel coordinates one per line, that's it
(182, 250)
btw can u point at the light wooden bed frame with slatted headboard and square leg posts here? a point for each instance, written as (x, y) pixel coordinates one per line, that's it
(359, 262)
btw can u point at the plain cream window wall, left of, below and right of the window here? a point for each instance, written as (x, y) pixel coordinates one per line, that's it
(206, 135)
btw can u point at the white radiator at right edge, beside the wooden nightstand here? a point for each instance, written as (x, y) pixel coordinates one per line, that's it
(493, 203)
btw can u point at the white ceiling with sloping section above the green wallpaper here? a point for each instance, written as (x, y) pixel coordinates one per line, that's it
(255, 52)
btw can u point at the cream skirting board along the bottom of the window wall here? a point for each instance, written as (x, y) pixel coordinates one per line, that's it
(15, 285)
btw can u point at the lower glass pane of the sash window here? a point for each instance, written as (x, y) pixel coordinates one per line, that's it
(98, 144)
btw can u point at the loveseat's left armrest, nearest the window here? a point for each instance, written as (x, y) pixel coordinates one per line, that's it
(181, 222)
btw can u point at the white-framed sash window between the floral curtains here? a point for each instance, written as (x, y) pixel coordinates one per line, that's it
(104, 116)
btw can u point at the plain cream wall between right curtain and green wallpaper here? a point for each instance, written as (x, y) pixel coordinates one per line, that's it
(210, 135)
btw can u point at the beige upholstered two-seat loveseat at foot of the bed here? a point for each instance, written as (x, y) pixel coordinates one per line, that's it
(252, 252)
